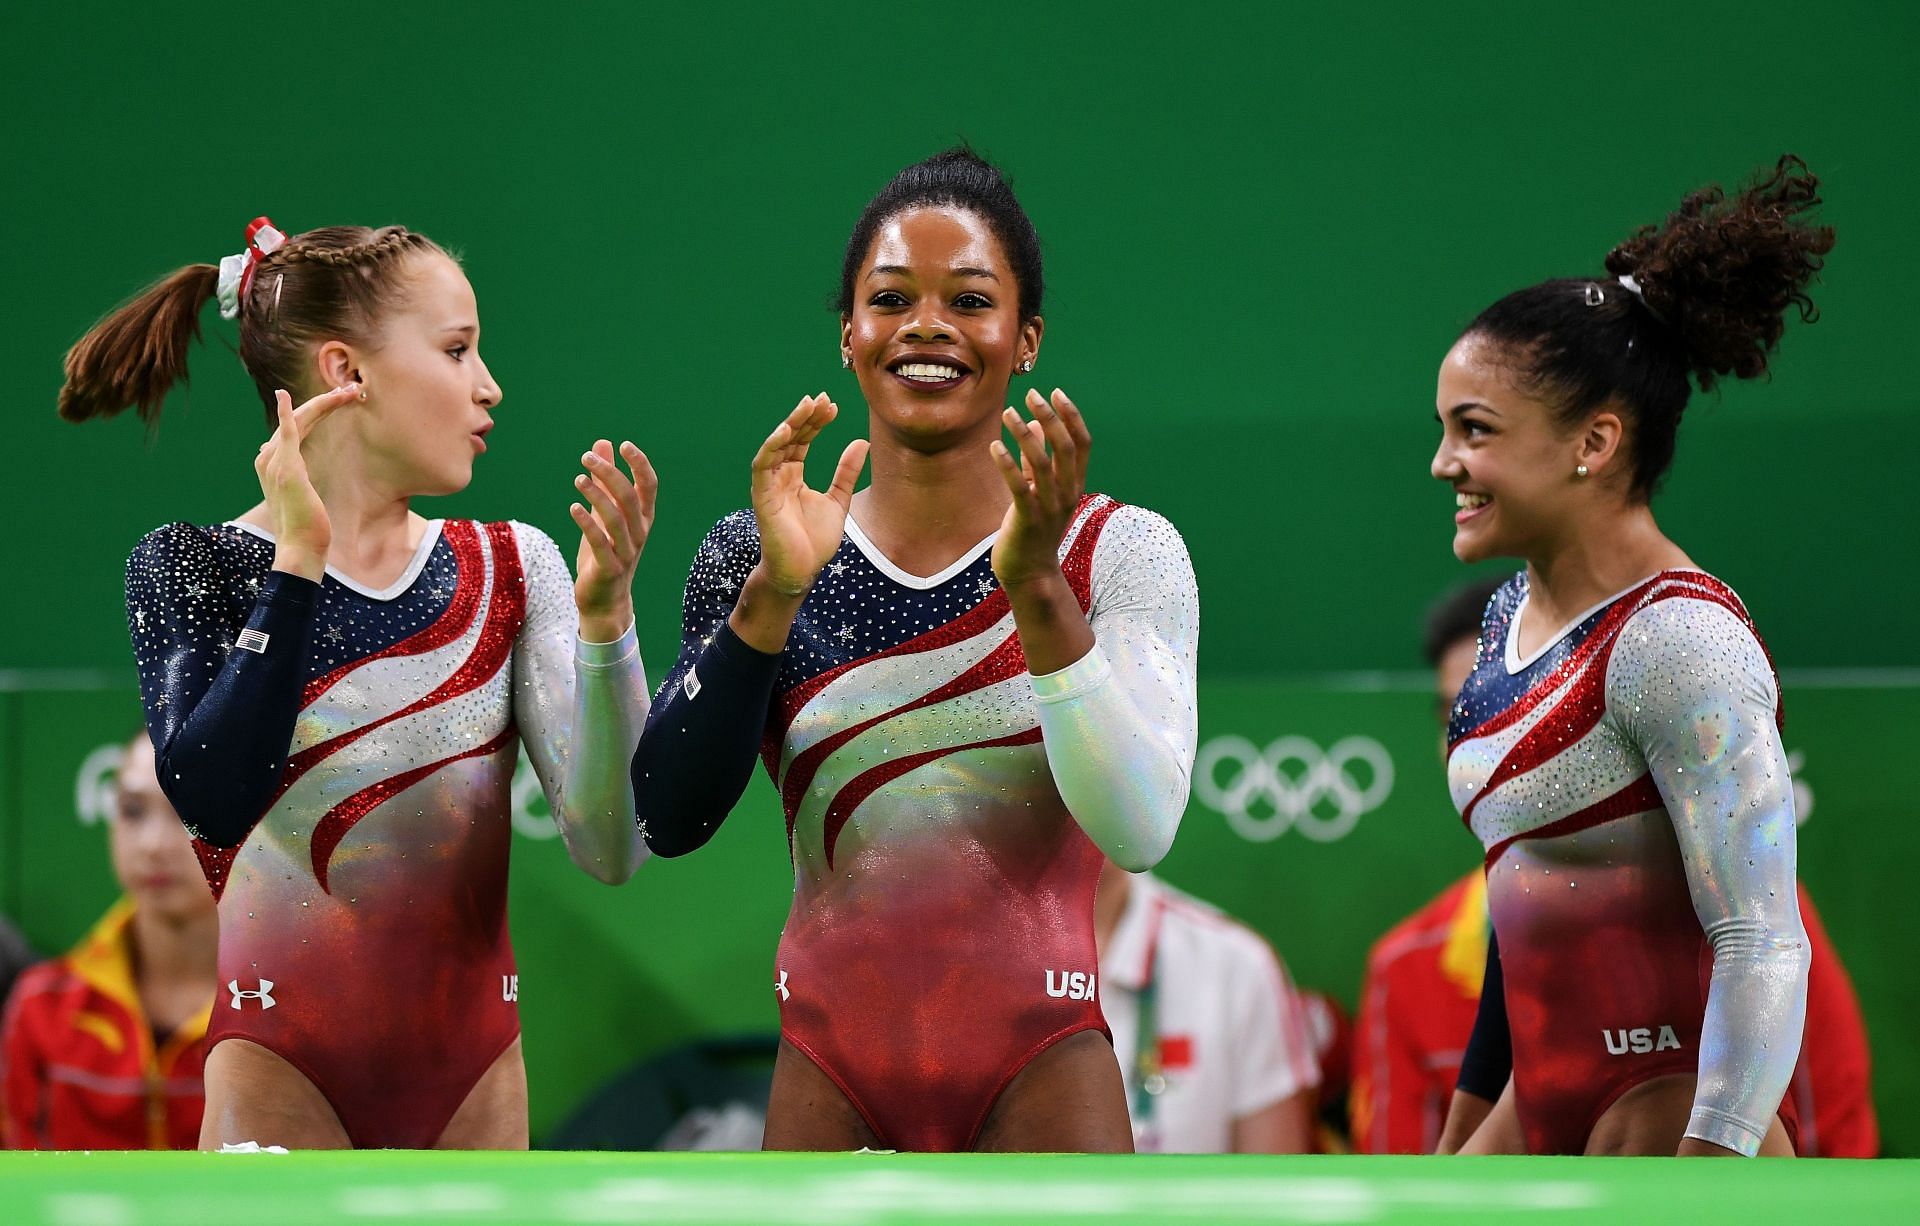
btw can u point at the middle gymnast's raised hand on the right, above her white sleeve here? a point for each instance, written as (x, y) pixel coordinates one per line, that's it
(1047, 484)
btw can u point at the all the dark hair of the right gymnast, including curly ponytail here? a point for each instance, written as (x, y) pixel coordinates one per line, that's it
(1710, 296)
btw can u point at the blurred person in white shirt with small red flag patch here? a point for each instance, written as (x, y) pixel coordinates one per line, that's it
(1214, 1043)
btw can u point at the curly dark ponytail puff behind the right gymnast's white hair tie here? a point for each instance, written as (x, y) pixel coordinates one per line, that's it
(1723, 273)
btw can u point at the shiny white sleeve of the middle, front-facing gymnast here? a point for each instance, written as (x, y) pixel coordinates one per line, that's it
(1120, 724)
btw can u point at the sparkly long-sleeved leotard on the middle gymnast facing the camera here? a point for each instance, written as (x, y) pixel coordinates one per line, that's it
(946, 813)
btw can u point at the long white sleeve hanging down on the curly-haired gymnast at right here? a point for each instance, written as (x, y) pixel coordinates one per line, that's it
(1700, 701)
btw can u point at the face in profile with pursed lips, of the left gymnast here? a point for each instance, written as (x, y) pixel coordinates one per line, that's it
(429, 396)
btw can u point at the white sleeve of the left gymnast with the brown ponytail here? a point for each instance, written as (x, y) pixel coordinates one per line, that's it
(581, 709)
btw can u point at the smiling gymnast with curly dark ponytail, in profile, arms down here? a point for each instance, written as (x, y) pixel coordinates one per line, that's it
(1618, 747)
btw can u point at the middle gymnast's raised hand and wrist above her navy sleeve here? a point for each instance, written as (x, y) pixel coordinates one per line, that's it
(800, 527)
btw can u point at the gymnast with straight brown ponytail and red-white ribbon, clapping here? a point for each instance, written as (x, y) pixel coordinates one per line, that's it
(339, 690)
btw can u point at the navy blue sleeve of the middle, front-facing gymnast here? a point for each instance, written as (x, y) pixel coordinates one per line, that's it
(704, 732)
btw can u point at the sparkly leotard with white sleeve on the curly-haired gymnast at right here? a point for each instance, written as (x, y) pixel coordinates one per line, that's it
(1633, 795)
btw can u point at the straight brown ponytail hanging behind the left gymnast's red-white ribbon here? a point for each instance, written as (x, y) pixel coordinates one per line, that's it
(135, 356)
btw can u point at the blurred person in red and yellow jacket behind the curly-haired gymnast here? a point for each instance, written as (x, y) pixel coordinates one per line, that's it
(1426, 981)
